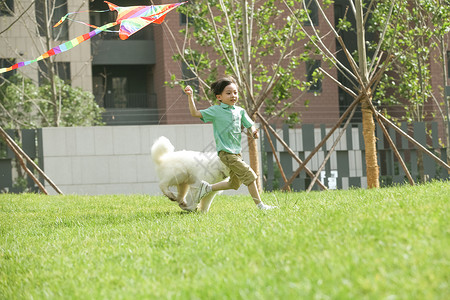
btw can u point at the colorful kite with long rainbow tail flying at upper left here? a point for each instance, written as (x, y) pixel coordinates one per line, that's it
(130, 18)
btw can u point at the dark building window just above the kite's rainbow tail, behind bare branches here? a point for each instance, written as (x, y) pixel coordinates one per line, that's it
(56, 9)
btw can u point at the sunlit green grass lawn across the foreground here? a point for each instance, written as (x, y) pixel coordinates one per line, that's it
(390, 243)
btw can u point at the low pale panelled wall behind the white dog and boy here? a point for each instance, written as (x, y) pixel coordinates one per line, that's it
(116, 159)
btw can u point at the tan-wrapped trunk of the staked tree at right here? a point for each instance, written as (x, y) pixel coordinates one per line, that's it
(372, 169)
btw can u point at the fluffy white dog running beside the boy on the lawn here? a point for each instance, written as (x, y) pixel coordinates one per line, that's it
(185, 170)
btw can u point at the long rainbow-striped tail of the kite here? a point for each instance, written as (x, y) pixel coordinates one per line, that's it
(61, 48)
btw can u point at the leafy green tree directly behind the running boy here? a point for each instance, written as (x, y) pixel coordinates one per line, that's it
(257, 43)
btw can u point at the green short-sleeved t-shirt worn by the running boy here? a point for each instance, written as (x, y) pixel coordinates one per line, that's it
(227, 122)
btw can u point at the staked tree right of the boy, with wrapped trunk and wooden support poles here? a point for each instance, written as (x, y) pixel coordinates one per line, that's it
(364, 74)
